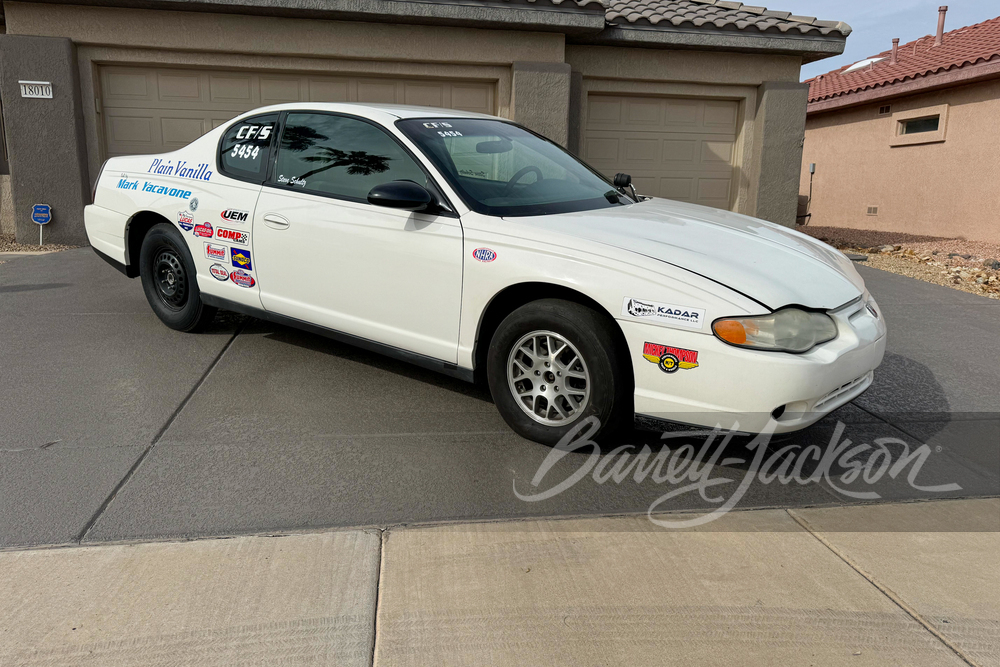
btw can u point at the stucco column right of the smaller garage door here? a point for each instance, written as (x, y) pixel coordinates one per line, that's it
(779, 129)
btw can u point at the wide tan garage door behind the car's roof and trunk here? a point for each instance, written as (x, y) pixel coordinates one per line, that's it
(149, 110)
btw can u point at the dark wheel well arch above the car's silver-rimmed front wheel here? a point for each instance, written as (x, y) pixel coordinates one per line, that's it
(515, 296)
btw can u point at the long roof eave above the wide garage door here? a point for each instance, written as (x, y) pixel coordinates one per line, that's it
(544, 16)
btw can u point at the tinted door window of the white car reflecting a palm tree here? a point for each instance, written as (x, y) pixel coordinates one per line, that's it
(340, 156)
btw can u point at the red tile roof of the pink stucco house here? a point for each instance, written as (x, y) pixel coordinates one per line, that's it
(964, 47)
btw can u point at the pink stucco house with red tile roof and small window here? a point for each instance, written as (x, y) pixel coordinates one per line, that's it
(908, 140)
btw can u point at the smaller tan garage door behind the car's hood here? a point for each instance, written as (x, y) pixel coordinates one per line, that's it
(675, 148)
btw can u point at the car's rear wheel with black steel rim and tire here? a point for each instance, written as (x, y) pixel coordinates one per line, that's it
(170, 282)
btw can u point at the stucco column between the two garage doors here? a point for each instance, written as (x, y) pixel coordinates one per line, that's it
(540, 98)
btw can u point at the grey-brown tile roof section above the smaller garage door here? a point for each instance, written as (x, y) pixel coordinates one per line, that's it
(718, 14)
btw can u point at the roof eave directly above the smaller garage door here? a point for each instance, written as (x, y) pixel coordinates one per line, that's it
(809, 47)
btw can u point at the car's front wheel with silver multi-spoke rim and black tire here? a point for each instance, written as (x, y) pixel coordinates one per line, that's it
(553, 363)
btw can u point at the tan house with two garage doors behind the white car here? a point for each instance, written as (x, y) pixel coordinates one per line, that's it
(699, 100)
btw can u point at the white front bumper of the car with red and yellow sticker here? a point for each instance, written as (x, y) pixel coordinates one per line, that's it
(742, 389)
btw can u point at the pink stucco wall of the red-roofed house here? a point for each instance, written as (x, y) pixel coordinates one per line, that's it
(938, 189)
